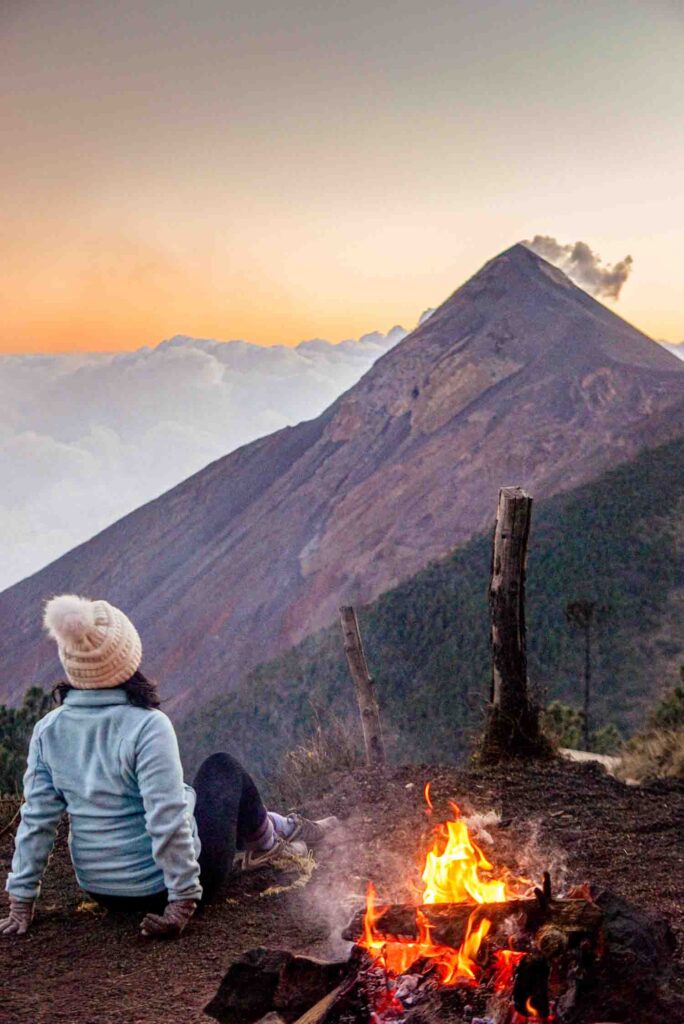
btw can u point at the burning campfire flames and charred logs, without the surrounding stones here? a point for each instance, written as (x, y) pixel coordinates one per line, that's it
(476, 929)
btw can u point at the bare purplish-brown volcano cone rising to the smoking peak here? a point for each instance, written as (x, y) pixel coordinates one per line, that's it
(519, 377)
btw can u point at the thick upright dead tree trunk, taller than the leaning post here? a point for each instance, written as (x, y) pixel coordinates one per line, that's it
(512, 728)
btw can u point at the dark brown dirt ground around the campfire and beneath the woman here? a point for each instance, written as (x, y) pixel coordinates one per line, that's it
(78, 966)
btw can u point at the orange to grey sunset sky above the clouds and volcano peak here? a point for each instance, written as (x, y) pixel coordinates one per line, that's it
(274, 172)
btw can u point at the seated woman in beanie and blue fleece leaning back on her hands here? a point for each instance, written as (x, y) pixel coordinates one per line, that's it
(140, 839)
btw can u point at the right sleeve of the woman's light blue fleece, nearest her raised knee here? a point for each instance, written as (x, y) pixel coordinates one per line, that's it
(160, 778)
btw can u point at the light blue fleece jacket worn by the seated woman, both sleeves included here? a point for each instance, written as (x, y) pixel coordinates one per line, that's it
(116, 771)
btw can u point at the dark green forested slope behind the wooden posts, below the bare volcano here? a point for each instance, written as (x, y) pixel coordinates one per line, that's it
(618, 540)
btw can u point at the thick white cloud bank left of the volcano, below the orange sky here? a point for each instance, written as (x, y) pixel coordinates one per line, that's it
(87, 439)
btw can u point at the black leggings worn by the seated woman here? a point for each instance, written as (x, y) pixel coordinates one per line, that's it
(229, 810)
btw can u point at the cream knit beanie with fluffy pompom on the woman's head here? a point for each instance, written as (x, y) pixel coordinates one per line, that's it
(99, 645)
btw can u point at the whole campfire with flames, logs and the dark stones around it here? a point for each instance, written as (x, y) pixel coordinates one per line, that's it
(478, 945)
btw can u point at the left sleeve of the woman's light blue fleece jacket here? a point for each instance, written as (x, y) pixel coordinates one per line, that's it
(41, 812)
